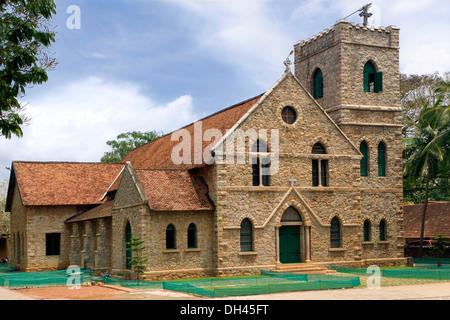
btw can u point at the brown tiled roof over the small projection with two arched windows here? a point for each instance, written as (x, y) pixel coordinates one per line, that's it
(174, 190)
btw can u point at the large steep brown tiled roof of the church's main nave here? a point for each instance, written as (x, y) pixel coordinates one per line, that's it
(157, 154)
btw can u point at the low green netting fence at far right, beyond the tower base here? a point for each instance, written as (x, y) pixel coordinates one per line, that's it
(431, 273)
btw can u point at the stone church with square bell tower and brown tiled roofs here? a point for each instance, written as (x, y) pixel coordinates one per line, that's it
(320, 184)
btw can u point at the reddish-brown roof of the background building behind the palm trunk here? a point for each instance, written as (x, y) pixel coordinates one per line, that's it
(437, 219)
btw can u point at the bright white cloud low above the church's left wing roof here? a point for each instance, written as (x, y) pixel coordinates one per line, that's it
(73, 122)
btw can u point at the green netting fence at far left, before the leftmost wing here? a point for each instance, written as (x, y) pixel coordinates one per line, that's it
(14, 279)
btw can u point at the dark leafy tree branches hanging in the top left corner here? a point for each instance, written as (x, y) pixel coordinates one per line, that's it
(24, 42)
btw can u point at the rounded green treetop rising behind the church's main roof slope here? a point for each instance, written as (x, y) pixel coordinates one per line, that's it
(126, 142)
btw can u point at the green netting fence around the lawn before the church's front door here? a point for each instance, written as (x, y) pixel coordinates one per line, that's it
(267, 282)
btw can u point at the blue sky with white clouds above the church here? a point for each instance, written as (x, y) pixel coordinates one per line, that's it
(142, 65)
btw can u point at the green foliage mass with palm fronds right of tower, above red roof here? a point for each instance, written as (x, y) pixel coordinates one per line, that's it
(426, 138)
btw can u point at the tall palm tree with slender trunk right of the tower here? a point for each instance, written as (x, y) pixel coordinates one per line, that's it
(426, 153)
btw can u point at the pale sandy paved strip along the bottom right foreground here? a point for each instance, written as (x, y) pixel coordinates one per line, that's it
(430, 291)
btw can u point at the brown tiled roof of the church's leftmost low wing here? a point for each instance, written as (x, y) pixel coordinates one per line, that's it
(63, 183)
